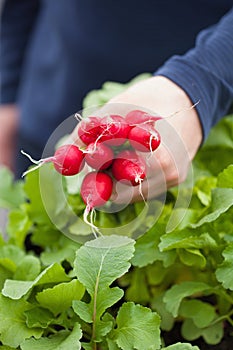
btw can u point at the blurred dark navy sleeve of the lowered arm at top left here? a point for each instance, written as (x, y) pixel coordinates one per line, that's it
(17, 20)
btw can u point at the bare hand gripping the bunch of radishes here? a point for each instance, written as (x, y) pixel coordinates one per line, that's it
(180, 130)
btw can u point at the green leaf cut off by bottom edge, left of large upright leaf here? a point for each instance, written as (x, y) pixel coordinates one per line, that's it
(62, 340)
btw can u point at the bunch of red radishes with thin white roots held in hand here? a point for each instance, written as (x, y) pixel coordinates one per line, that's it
(110, 151)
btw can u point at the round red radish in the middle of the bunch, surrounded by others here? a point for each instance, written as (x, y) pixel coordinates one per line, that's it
(99, 156)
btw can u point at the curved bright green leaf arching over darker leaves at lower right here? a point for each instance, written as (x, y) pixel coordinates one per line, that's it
(177, 293)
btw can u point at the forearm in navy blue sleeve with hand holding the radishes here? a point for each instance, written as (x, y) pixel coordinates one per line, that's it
(204, 74)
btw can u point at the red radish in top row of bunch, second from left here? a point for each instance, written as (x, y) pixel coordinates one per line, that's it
(114, 130)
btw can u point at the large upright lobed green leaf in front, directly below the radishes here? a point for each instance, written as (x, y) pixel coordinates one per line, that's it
(95, 266)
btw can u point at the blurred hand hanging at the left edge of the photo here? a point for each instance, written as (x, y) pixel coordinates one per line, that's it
(8, 132)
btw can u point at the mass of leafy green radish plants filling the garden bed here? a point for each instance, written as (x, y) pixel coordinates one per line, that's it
(118, 292)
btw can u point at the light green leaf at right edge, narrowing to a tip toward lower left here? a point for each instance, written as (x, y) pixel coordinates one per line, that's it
(222, 200)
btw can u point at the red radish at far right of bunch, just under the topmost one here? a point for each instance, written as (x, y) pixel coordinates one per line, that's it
(144, 138)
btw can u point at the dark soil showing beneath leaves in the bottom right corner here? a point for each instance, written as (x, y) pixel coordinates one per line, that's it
(174, 336)
